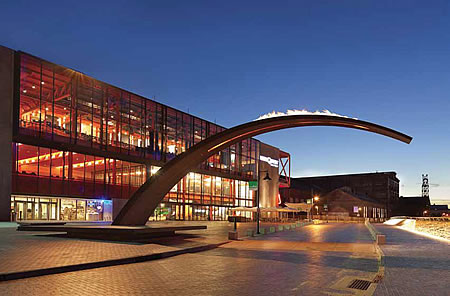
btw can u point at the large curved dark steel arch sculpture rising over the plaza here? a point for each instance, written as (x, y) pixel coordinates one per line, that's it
(145, 200)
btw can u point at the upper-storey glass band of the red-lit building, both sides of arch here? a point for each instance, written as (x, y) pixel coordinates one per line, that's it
(64, 106)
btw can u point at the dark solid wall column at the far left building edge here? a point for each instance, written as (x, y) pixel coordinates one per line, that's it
(6, 129)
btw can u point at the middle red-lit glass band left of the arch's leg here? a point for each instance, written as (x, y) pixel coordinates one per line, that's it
(64, 173)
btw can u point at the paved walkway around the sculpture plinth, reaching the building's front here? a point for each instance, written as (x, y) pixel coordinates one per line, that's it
(26, 251)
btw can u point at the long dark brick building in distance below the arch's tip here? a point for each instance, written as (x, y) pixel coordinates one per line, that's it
(382, 187)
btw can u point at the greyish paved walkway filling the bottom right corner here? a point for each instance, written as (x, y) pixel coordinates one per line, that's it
(414, 264)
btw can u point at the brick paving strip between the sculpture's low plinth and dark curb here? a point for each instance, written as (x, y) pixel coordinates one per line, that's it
(25, 251)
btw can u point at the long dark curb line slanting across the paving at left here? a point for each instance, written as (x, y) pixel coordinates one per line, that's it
(107, 263)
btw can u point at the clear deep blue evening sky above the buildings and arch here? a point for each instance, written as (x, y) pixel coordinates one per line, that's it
(229, 62)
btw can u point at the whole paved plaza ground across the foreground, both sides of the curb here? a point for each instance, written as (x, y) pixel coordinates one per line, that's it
(316, 259)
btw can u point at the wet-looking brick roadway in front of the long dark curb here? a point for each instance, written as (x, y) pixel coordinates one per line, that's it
(256, 266)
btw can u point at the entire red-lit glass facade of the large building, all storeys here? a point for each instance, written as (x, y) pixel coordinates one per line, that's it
(128, 138)
